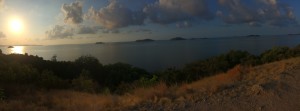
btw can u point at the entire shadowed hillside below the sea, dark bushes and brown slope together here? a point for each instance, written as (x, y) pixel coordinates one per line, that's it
(236, 80)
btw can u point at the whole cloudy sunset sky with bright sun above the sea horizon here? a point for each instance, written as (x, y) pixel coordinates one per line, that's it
(51, 22)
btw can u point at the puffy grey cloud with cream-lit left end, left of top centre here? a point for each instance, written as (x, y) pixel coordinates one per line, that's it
(116, 15)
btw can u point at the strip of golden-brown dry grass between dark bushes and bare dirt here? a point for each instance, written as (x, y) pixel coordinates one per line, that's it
(66, 100)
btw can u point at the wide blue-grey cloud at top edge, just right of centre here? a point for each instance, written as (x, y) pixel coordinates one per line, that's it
(172, 11)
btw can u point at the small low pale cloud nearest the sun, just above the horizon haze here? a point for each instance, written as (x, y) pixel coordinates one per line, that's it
(59, 32)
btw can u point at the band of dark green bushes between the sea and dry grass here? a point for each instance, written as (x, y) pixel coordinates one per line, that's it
(87, 74)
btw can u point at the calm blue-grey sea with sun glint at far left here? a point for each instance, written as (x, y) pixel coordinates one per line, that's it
(157, 55)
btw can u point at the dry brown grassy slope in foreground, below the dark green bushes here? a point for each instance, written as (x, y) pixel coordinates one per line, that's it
(273, 86)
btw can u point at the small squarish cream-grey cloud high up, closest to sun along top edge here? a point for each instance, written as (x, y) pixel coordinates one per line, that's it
(72, 12)
